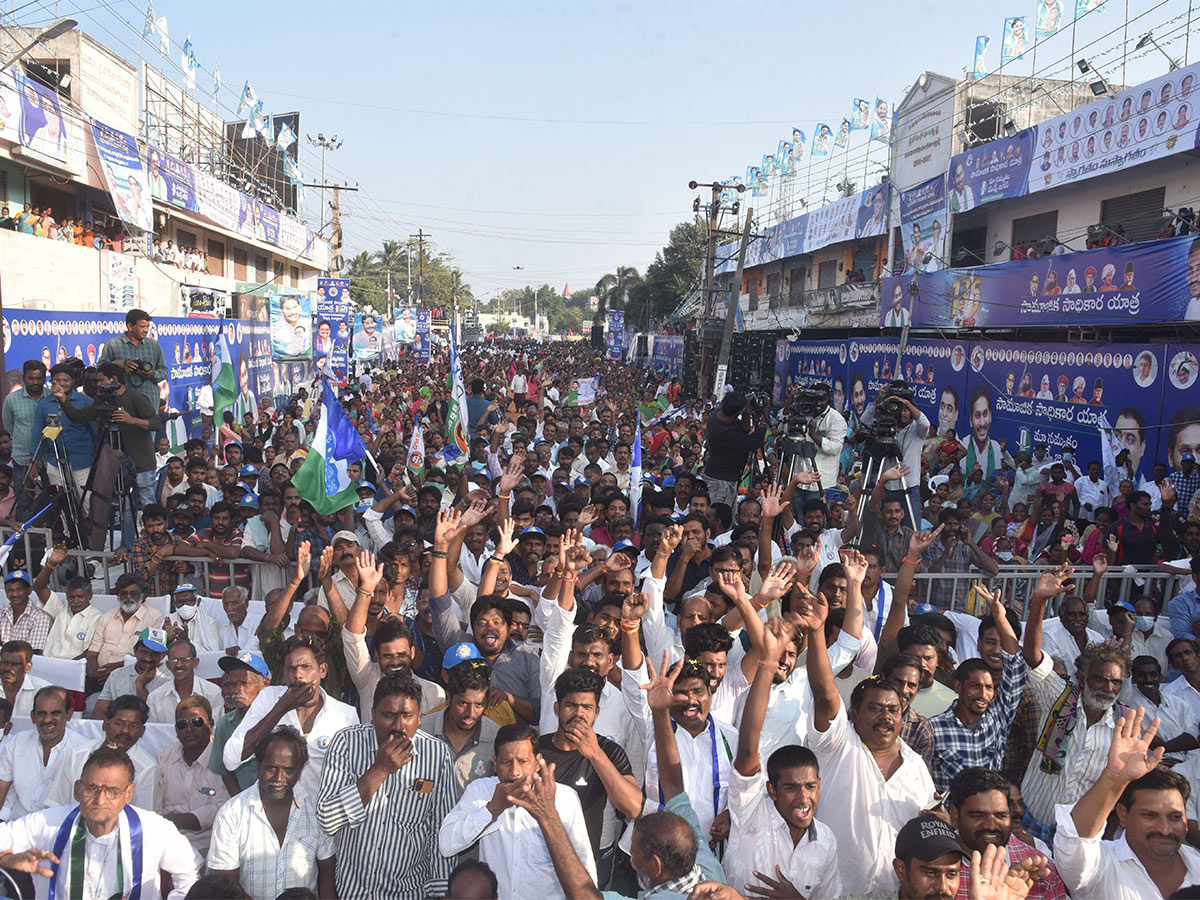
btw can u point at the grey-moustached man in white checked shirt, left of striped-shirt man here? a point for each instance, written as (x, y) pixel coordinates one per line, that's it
(267, 838)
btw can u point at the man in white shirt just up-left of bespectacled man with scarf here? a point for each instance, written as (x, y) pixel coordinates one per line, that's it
(23, 782)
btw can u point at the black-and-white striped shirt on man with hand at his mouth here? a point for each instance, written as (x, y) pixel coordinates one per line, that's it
(388, 849)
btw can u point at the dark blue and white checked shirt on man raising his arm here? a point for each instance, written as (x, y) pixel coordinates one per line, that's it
(961, 747)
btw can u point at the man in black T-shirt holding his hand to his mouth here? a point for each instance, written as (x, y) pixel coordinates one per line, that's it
(596, 767)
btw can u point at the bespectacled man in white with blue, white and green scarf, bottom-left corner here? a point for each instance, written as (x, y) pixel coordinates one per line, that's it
(85, 837)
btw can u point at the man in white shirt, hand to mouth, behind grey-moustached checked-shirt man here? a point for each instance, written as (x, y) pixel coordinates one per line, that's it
(299, 703)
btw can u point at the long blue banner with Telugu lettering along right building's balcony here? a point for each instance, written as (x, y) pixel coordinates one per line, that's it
(1112, 286)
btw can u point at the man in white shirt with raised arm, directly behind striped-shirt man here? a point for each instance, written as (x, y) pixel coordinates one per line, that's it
(394, 644)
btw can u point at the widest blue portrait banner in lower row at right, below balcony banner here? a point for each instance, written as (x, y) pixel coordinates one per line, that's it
(1055, 394)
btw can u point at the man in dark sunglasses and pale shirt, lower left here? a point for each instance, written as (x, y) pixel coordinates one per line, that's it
(189, 793)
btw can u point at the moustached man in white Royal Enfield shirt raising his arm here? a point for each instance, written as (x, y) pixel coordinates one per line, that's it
(880, 782)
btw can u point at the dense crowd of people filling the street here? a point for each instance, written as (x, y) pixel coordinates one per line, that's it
(601, 651)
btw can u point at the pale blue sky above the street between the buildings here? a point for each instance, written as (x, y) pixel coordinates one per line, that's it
(561, 136)
